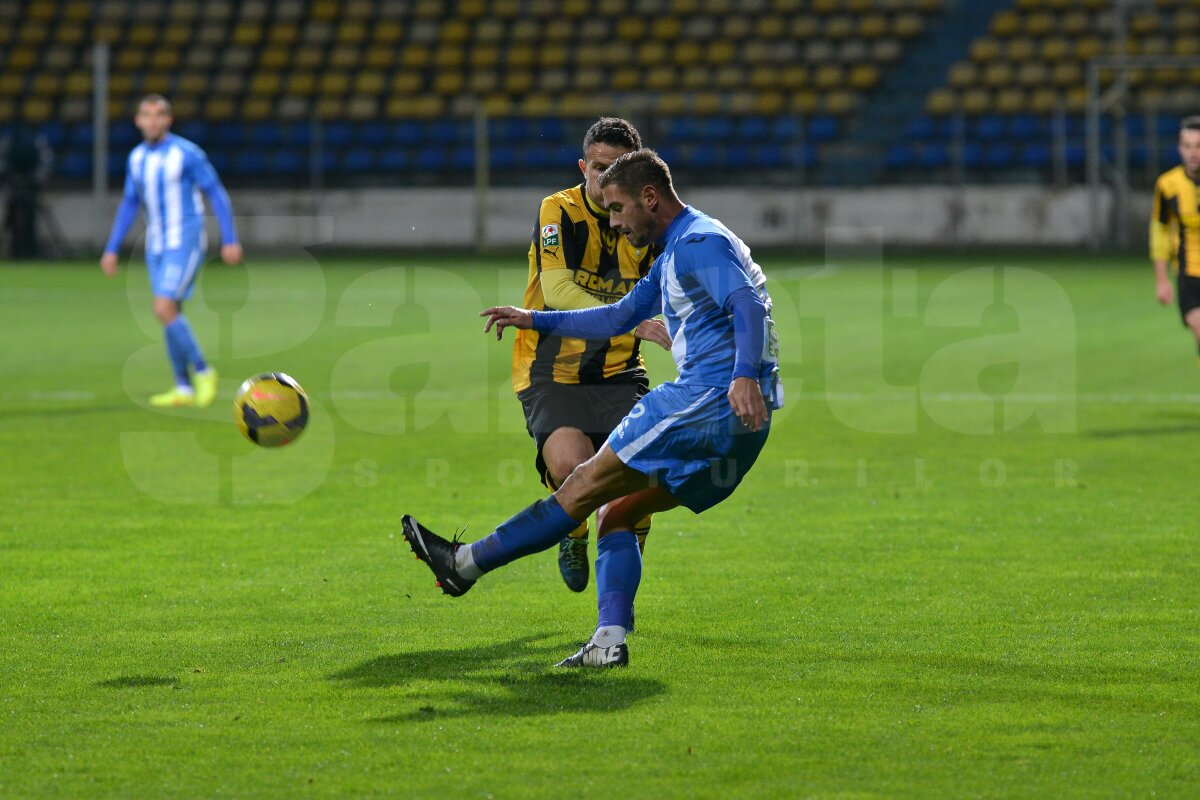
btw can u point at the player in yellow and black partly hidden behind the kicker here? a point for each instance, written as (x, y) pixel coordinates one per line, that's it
(575, 392)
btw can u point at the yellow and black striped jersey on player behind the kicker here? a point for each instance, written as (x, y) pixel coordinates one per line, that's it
(573, 234)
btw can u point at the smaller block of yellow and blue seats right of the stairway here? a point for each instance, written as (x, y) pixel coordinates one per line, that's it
(1019, 99)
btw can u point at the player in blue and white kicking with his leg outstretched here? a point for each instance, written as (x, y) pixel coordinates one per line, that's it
(689, 442)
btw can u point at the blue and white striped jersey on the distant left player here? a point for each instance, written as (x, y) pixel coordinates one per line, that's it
(169, 179)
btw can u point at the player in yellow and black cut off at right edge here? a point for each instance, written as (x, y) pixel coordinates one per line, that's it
(1175, 228)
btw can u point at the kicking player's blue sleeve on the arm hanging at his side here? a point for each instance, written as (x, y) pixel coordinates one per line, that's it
(711, 261)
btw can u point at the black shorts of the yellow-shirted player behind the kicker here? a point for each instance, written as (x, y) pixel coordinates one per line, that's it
(596, 410)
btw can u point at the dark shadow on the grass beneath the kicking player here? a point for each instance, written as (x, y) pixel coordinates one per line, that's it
(513, 678)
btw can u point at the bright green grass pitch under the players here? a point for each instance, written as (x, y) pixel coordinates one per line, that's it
(965, 566)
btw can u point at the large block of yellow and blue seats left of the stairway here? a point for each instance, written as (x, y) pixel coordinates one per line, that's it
(389, 86)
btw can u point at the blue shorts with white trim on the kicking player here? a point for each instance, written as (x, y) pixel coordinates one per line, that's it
(689, 441)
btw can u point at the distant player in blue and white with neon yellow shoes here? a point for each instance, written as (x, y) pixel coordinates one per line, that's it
(166, 176)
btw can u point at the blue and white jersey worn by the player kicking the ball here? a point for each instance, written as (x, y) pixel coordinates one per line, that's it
(703, 264)
